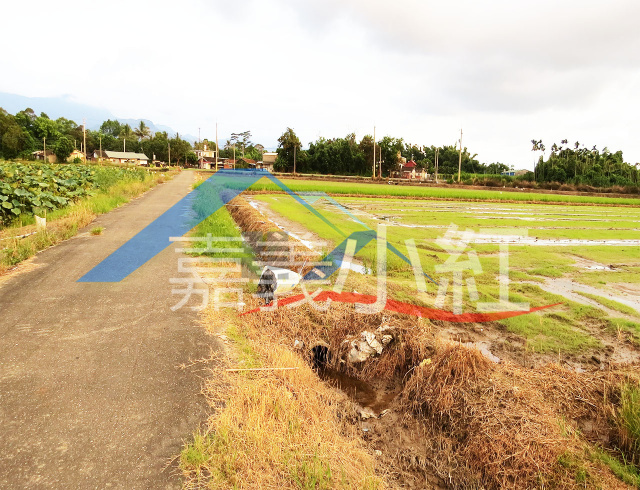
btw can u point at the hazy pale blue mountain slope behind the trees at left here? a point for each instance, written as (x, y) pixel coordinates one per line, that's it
(64, 106)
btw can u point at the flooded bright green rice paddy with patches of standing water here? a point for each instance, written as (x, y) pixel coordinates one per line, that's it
(586, 257)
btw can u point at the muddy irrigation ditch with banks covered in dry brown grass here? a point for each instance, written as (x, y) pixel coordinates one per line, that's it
(439, 411)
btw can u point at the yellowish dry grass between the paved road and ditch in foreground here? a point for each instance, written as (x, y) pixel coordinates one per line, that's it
(276, 429)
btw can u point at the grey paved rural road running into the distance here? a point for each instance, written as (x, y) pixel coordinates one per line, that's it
(94, 392)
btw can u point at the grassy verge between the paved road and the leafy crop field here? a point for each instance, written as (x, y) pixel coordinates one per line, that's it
(65, 223)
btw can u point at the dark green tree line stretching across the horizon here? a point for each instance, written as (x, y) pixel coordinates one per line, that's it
(25, 132)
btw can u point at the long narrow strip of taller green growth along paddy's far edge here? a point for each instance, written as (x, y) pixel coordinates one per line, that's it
(433, 192)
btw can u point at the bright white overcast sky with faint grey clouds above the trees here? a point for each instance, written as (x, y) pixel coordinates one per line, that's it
(504, 72)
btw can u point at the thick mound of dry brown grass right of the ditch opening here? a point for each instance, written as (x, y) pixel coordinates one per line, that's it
(509, 426)
